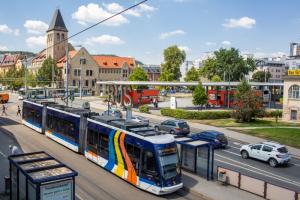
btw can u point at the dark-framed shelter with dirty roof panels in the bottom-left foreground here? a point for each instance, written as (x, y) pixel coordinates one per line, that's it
(39, 176)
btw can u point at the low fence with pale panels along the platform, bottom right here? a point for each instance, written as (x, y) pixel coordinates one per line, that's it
(257, 186)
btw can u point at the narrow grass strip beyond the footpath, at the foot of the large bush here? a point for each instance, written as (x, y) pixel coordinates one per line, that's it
(257, 123)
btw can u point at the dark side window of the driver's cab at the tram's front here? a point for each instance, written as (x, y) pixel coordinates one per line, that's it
(149, 166)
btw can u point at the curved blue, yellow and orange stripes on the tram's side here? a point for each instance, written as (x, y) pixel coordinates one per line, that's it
(117, 152)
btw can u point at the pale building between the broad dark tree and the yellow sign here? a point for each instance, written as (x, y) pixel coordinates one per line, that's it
(278, 69)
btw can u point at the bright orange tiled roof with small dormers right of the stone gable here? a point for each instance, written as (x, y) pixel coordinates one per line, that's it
(113, 61)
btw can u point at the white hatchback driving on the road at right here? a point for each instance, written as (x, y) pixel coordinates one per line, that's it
(271, 152)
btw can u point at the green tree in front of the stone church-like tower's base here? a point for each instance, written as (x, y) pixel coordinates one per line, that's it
(44, 75)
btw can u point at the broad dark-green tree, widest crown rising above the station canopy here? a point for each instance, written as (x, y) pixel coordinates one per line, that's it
(228, 62)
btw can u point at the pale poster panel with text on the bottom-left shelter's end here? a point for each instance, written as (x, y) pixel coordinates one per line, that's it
(58, 191)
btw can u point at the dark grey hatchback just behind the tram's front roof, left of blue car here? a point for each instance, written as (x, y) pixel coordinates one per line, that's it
(174, 127)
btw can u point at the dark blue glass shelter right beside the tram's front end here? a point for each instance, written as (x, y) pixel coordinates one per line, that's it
(196, 156)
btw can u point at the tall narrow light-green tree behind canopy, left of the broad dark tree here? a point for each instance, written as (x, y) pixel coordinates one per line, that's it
(173, 58)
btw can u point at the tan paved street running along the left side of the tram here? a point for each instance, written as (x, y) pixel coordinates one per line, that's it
(92, 182)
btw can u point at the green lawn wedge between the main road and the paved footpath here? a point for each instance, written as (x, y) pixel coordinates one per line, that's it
(287, 136)
